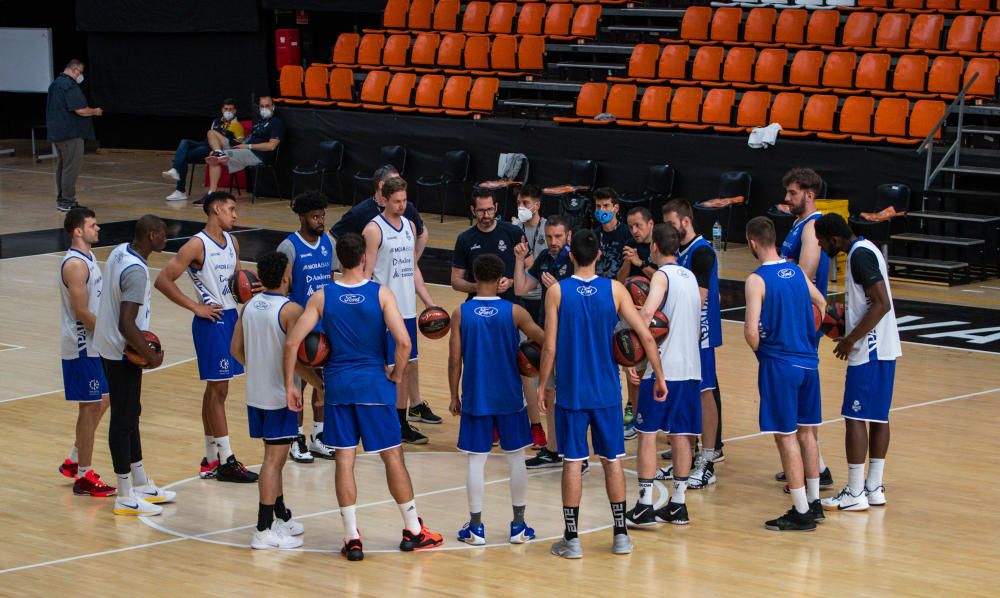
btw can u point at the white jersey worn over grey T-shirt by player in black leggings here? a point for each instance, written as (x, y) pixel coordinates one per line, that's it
(108, 341)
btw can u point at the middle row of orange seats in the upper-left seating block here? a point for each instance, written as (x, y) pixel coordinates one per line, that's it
(452, 53)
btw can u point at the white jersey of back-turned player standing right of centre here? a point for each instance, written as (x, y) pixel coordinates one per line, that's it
(680, 354)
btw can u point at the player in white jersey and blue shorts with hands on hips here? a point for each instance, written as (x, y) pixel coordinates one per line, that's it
(211, 258)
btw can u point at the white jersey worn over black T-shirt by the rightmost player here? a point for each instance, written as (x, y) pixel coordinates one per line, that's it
(882, 342)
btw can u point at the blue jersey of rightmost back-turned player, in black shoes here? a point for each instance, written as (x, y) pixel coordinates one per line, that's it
(787, 327)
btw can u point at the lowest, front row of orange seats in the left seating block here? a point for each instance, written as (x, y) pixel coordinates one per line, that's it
(433, 94)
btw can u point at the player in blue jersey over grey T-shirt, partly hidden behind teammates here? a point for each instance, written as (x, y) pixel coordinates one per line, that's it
(310, 253)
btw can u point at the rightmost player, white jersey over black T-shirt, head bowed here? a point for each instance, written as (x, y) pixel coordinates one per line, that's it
(870, 346)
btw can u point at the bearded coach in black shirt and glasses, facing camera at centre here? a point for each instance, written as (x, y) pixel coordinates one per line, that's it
(489, 235)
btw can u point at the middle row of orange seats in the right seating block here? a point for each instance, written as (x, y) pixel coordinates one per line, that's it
(842, 73)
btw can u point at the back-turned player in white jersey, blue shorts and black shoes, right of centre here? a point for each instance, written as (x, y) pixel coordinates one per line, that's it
(674, 288)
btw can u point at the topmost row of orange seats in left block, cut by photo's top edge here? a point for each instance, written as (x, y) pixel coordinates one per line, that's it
(560, 21)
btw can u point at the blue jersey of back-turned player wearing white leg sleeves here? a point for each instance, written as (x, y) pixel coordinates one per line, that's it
(491, 384)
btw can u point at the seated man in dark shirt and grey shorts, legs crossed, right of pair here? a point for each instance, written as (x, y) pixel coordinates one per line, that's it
(258, 147)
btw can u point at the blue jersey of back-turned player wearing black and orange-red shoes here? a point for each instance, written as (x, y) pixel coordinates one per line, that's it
(354, 324)
